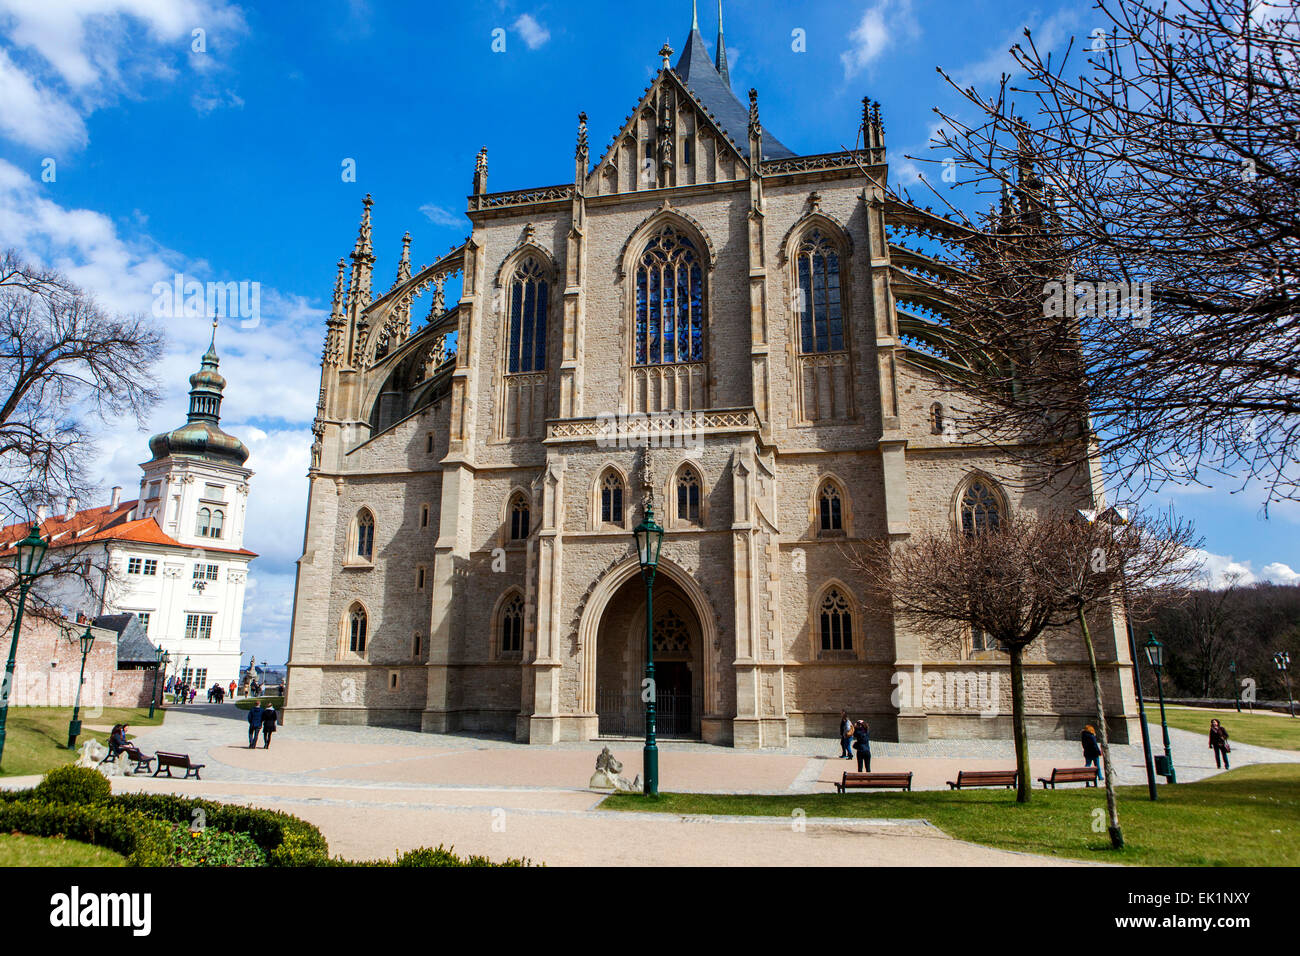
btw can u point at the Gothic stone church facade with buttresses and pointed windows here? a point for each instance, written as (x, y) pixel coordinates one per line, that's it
(421, 603)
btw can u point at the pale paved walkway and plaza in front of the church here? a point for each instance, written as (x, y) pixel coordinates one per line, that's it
(375, 791)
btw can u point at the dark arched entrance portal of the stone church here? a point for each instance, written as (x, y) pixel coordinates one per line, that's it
(622, 657)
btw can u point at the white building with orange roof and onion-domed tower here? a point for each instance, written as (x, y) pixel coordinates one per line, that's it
(175, 557)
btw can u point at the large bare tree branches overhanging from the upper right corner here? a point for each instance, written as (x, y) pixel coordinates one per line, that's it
(1159, 175)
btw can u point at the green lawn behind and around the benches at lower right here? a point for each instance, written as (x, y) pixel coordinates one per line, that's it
(1246, 817)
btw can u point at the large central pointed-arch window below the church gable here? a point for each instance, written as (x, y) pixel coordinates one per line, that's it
(670, 301)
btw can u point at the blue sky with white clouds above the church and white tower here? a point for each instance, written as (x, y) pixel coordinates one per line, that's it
(226, 165)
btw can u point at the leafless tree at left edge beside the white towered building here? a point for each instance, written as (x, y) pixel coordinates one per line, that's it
(66, 365)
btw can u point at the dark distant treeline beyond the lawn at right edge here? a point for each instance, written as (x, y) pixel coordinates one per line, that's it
(1204, 631)
